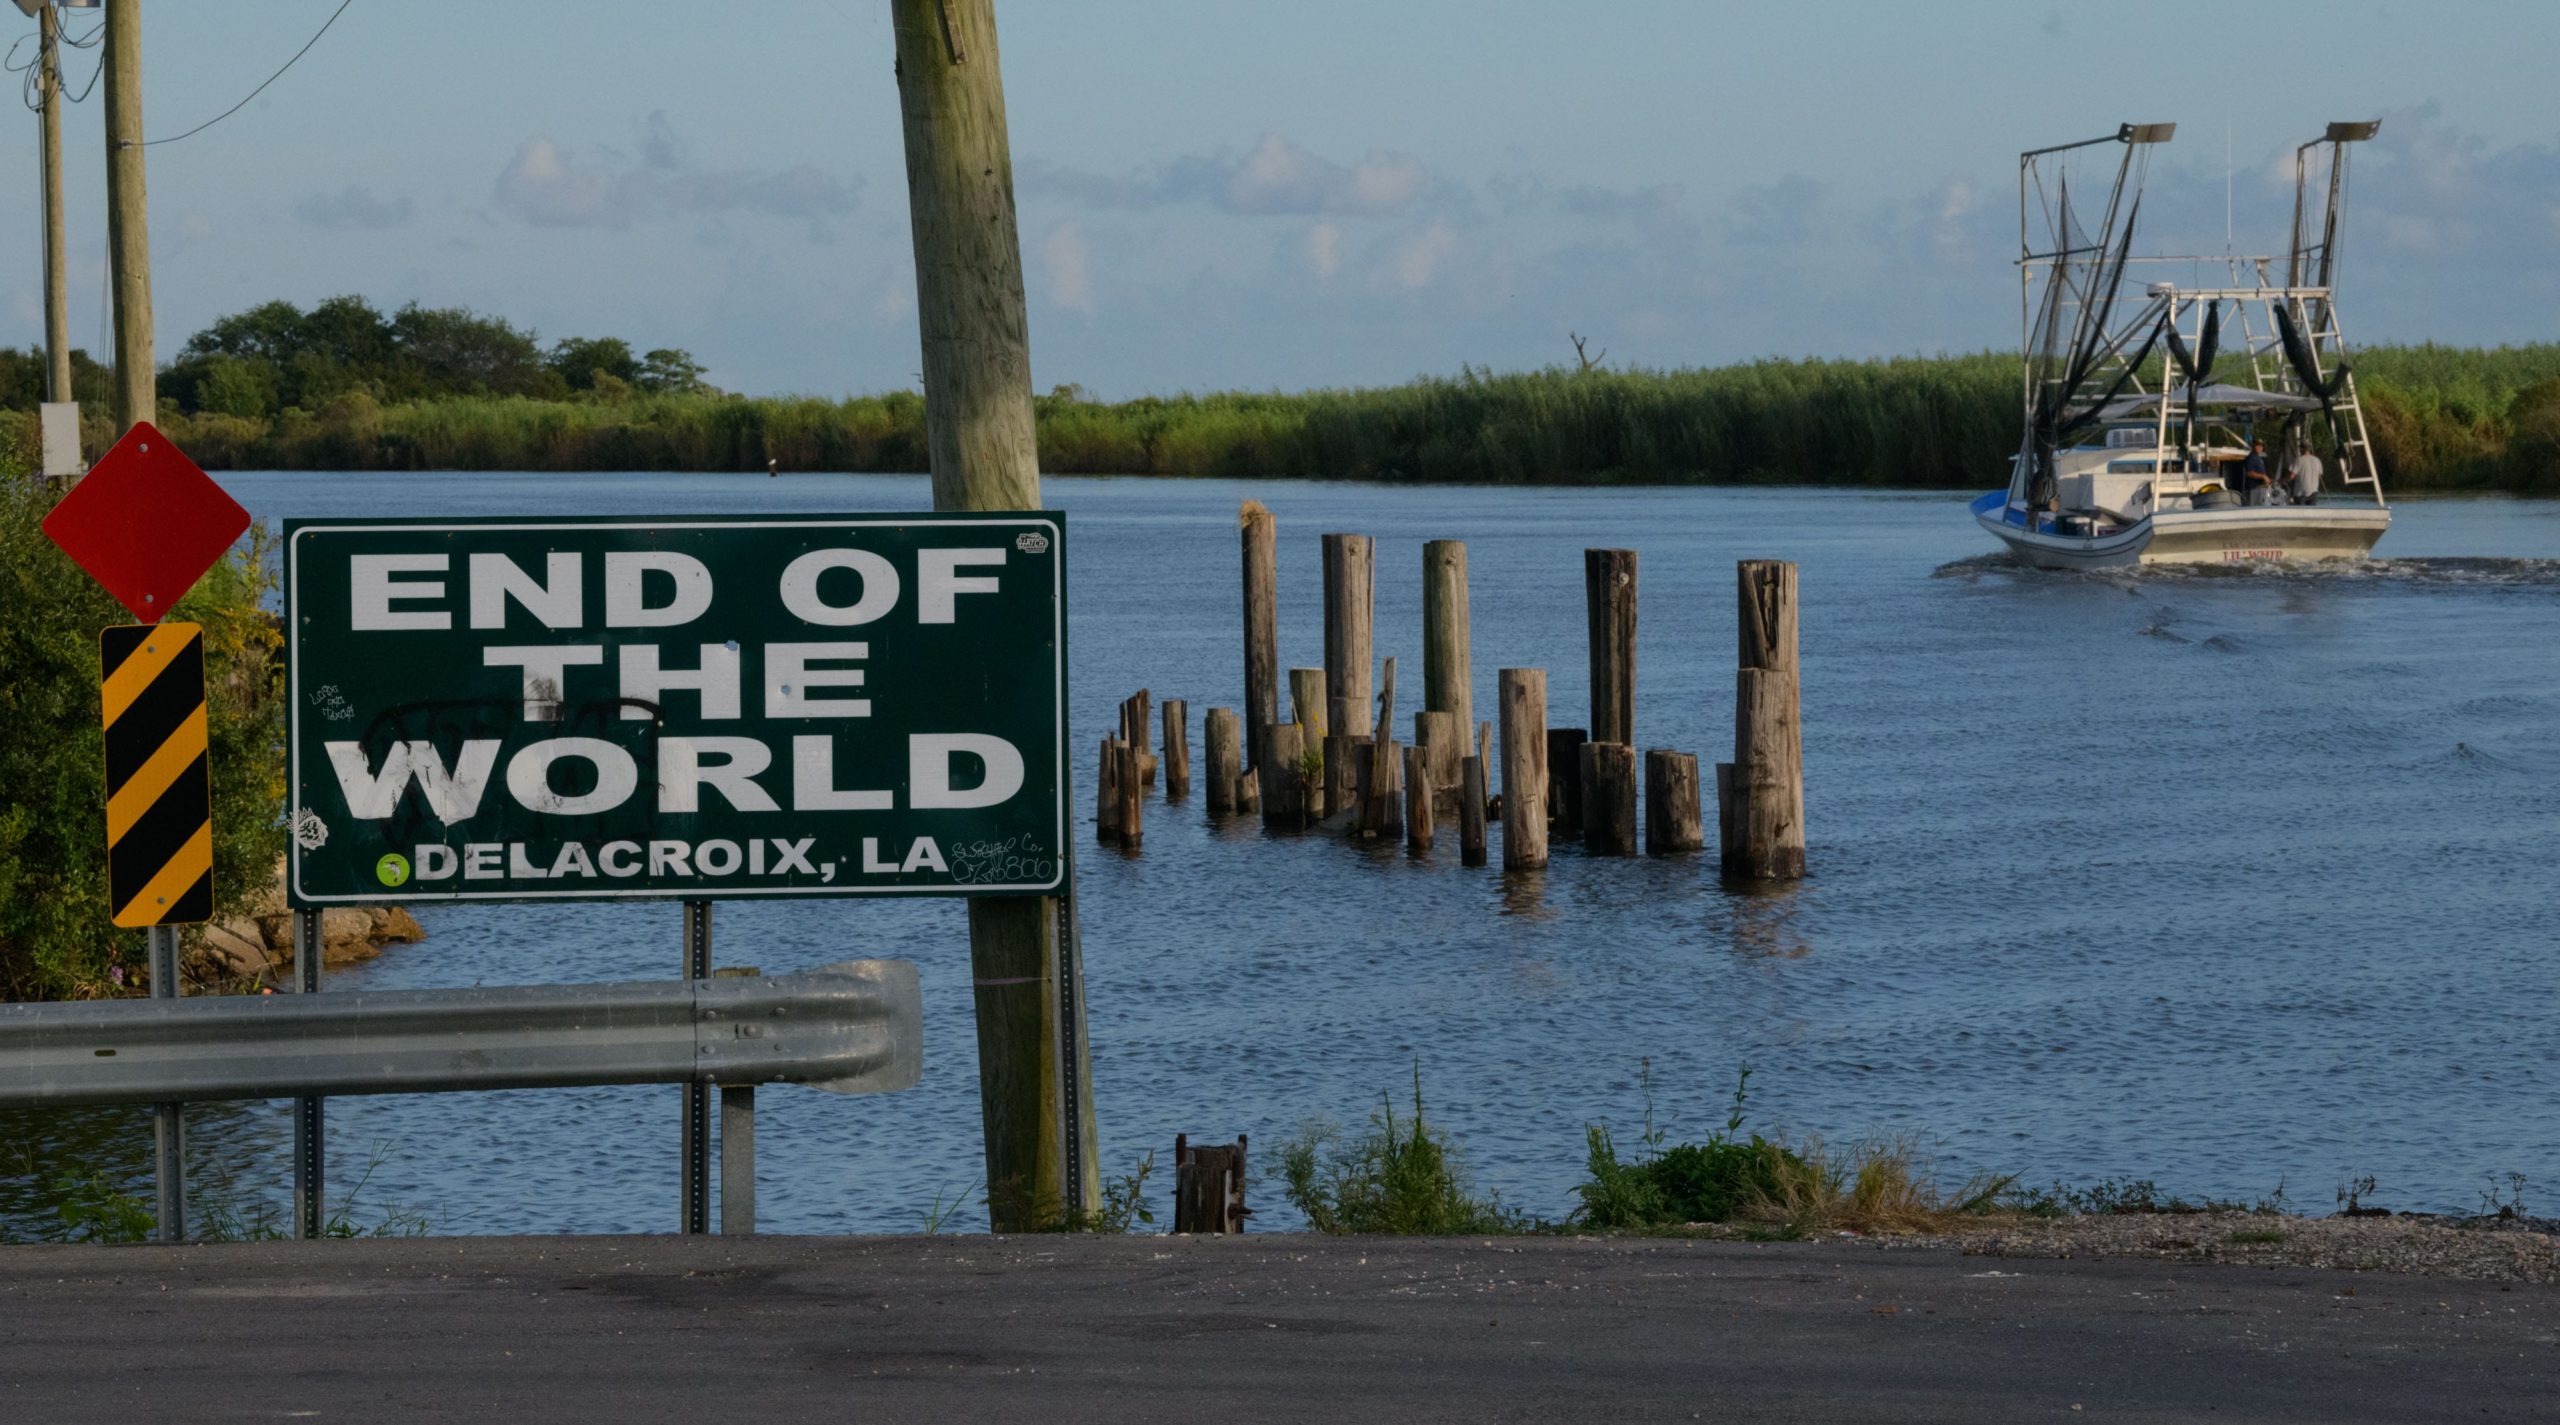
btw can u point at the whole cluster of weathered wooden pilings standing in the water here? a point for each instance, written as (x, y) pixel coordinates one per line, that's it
(1338, 764)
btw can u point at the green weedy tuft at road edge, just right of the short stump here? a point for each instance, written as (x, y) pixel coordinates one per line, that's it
(1394, 1178)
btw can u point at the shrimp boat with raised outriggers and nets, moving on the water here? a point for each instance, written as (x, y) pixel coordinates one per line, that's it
(2144, 395)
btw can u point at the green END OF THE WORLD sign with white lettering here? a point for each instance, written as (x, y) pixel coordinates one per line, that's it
(692, 707)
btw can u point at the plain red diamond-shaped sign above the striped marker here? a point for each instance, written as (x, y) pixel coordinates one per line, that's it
(147, 523)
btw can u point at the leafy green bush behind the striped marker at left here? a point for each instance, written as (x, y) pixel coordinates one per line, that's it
(55, 938)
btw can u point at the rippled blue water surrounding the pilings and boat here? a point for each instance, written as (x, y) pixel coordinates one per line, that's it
(2223, 881)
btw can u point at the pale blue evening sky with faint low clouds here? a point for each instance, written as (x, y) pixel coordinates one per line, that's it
(1309, 193)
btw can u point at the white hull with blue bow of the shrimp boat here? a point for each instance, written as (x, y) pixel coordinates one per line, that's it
(2300, 533)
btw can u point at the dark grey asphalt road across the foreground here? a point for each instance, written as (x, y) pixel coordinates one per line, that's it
(1238, 1329)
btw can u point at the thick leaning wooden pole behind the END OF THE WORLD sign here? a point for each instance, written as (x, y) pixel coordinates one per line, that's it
(1036, 1076)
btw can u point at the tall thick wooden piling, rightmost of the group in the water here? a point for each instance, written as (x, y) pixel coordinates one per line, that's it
(1765, 812)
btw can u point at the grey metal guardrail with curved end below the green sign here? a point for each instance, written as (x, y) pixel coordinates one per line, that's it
(854, 1027)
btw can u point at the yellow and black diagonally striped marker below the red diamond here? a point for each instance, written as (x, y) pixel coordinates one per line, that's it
(160, 779)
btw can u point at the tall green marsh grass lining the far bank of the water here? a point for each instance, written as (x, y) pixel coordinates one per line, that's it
(2441, 418)
